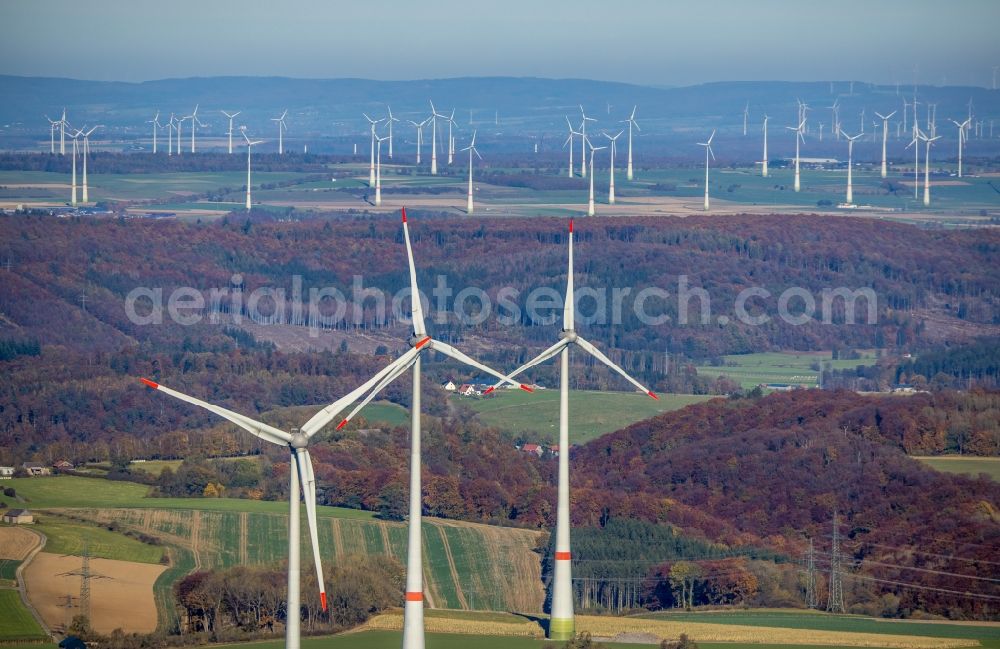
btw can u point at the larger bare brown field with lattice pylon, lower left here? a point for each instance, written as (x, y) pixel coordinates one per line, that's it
(127, 588)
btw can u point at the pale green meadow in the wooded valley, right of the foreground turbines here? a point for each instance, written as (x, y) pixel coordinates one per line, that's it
(750, 370)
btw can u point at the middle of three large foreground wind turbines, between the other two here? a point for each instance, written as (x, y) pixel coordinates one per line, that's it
(420, 342)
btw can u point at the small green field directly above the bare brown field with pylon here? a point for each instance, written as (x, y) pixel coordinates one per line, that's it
(67, 537)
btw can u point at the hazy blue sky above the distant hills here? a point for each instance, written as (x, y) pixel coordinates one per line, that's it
(654, 42)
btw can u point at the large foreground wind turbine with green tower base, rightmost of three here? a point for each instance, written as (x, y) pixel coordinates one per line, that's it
(561, 623)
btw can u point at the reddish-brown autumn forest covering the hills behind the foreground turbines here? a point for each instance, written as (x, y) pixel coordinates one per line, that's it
(766, 473)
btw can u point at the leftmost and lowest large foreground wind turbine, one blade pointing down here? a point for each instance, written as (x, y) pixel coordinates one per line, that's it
(301, 477)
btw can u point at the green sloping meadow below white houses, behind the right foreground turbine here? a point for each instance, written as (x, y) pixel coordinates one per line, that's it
(592, 414)
